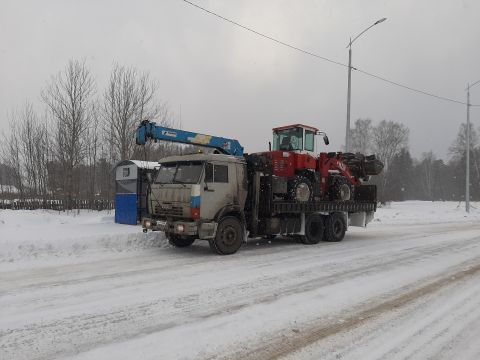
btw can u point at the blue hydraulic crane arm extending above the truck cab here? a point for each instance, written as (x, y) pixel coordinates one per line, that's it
(150, 130)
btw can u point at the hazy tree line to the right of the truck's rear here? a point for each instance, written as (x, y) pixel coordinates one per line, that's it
(426, 178)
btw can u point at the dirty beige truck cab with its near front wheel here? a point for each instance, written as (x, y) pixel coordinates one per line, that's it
(193, 194)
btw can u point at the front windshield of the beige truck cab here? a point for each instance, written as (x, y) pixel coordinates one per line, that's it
(183, 173)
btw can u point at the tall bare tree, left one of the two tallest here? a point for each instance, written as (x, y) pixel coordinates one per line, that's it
(68, 96)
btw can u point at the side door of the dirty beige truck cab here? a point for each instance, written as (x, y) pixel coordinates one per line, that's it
(219, 188)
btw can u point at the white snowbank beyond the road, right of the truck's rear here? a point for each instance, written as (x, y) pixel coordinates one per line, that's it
(426, 212)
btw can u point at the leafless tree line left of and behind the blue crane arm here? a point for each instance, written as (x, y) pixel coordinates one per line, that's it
(67, 149)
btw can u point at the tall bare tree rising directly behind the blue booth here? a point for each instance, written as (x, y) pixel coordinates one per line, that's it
(128, 99)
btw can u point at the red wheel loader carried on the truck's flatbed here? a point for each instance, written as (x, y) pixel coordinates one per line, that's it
(300, 174)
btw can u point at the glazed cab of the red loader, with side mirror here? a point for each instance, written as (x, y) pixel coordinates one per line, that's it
(298, 138)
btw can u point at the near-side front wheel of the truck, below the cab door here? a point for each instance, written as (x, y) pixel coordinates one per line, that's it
(229, 236)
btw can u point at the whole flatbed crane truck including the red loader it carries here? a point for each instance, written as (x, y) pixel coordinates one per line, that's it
(227, 196)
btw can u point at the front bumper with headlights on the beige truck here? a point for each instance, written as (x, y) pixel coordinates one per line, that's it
(204, 230)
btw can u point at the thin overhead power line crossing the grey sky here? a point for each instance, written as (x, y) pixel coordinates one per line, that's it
(323, 57)
